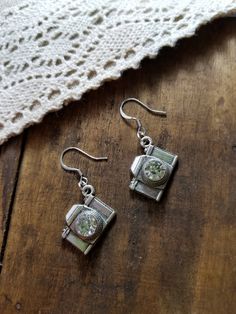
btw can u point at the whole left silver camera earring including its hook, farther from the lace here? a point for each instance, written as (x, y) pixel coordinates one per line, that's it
(85, 222)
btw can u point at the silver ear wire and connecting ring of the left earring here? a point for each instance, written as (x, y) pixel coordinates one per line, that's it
(83, 181)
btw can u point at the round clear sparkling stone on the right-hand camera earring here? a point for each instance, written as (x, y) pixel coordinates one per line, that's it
(155, 170)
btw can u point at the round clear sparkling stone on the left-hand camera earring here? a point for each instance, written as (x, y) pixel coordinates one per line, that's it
(87, 225)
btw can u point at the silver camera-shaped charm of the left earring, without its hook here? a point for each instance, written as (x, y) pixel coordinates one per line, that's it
(86, 222)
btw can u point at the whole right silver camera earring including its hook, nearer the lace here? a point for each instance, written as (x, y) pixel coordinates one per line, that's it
(151, 171)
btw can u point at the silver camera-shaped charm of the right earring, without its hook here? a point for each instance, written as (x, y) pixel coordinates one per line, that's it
(152, 171)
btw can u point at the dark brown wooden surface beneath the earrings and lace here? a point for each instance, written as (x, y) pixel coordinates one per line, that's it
(177, 256)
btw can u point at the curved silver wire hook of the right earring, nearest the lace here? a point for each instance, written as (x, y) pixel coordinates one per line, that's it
(138, 121)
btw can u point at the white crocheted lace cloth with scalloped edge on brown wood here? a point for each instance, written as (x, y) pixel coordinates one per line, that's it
(52, 51)
